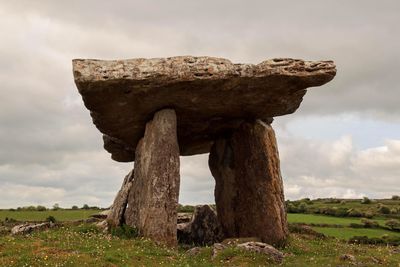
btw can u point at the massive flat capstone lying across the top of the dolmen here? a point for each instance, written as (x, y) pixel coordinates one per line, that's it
(210, 95)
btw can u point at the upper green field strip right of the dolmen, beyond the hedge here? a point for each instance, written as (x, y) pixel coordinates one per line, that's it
(315, 218)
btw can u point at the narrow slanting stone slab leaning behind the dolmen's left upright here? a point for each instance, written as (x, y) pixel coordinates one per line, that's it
(115, 216)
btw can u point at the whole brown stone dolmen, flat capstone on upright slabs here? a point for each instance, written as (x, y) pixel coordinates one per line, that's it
(152, 110)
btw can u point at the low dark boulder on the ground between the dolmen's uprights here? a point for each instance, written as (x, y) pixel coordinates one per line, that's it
(203, 228)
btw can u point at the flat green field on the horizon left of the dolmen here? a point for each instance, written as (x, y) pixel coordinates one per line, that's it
(60, 215)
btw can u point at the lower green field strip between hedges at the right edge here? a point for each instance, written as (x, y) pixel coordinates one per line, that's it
(347, 233)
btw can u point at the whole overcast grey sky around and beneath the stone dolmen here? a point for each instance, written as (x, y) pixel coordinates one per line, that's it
(344, 141)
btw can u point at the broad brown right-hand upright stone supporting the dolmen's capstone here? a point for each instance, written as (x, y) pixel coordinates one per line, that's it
(249, 189)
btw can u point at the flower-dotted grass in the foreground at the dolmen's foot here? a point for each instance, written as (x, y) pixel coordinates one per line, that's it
(70, 246)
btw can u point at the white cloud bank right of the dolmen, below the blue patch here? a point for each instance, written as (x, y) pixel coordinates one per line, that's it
(338, 169)
